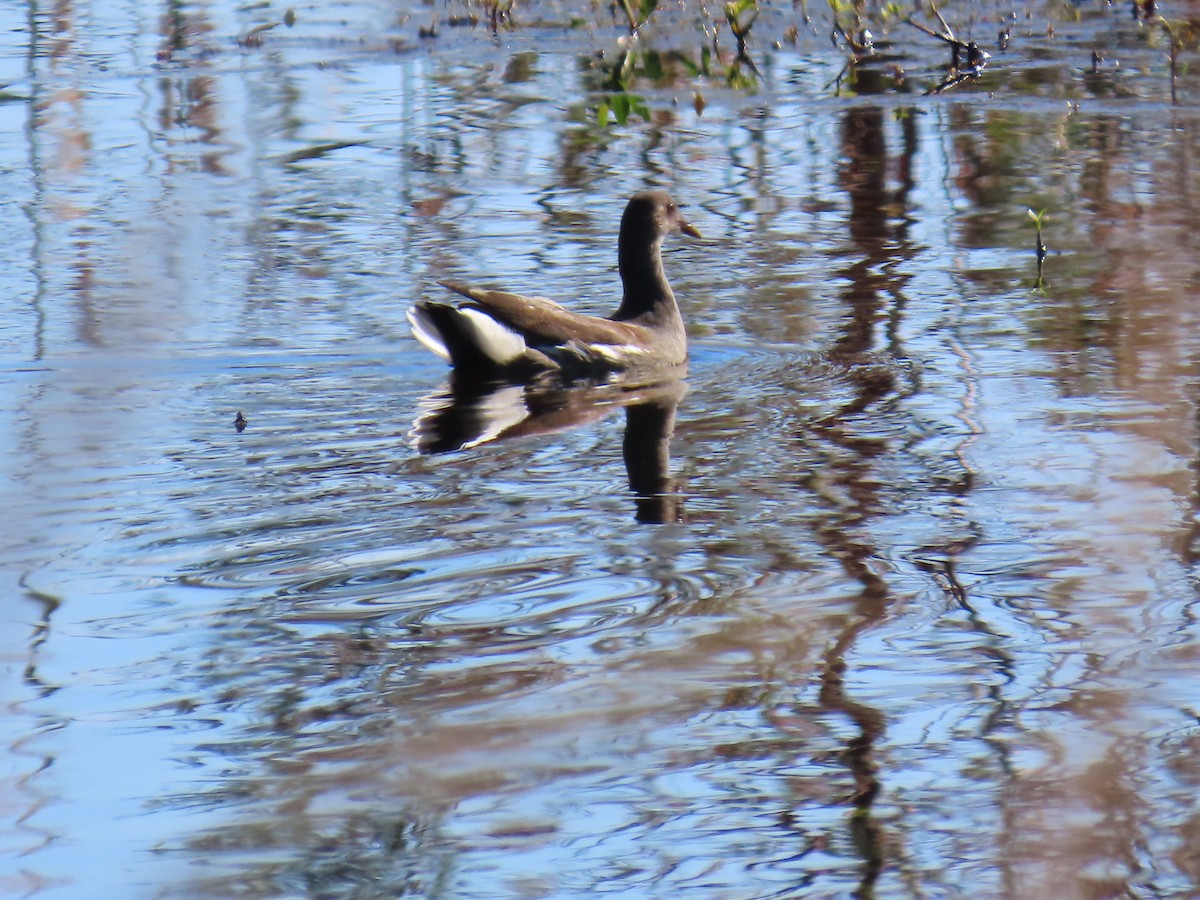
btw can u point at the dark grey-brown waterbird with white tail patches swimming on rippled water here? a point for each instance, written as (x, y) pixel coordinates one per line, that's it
(503, 333)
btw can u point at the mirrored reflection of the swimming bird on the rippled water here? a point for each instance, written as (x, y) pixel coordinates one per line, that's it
(469, 413)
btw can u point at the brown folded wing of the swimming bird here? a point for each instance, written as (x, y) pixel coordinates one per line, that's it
(544, 322)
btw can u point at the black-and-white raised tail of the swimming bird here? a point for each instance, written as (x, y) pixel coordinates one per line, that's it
(465, 337)
